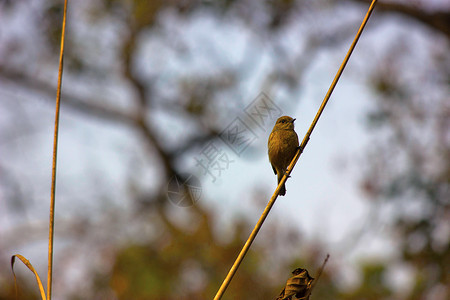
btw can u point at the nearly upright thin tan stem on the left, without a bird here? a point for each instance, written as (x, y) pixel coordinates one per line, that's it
(55, 152)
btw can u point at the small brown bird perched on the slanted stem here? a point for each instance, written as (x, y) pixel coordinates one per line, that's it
(283, 144)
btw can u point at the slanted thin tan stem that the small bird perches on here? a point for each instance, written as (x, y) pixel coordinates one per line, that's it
(261, 220)
